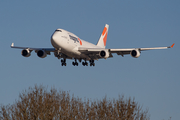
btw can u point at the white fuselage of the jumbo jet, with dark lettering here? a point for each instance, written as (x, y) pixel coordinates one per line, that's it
(68, 43)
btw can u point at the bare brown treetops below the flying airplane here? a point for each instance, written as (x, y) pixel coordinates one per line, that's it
(39, 104)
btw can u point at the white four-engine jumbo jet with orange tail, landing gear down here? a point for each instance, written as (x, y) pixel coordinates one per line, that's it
(67, 45)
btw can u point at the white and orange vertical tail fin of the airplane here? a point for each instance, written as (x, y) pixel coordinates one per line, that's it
(102, 40)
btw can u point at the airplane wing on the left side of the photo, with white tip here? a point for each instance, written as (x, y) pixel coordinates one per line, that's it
(47, 50)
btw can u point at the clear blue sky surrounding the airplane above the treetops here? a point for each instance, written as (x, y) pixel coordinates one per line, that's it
(152, 79)
